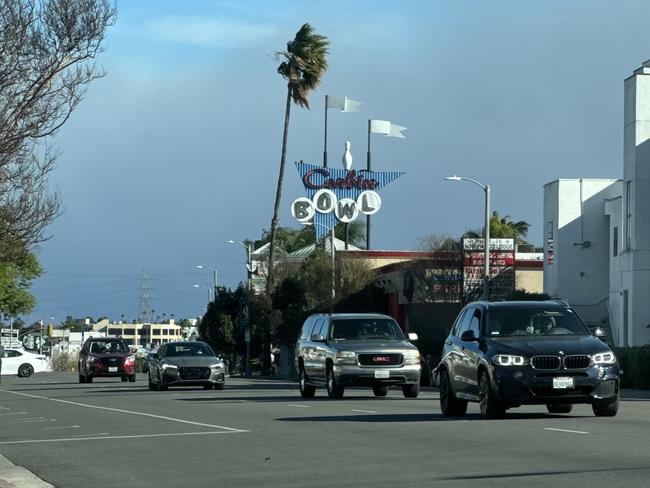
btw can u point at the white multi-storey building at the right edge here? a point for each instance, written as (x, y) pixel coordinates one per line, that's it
(597, 249)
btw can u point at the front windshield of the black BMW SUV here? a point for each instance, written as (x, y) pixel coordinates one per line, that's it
(533, 322)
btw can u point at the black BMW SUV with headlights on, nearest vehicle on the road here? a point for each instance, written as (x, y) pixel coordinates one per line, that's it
(508, 354)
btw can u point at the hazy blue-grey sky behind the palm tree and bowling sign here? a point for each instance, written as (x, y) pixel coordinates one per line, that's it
(176, 149)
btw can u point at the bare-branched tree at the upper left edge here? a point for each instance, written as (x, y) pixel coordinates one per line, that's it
(47, 59)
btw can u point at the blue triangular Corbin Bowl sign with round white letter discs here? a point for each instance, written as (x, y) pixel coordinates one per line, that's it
(338, 195)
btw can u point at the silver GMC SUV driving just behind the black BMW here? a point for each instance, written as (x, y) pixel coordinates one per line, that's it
(340, 350)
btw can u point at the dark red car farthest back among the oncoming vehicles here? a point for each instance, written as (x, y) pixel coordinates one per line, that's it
(106, 357)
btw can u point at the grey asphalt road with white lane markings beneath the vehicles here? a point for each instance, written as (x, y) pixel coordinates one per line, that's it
(260, 433)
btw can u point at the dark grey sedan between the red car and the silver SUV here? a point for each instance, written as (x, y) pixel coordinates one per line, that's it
(187, 363)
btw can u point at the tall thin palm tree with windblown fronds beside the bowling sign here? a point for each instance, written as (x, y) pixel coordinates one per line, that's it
(303, 64)
